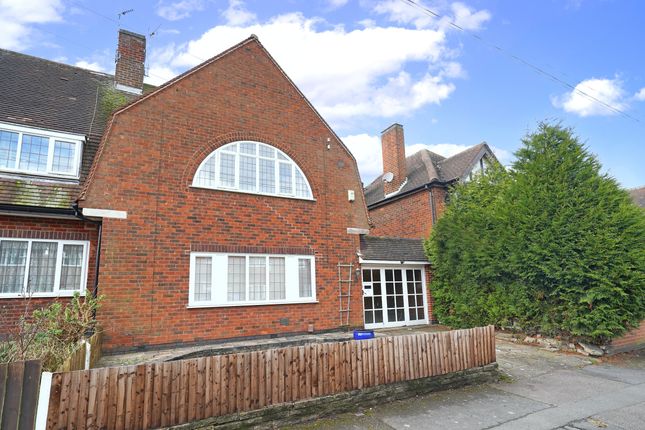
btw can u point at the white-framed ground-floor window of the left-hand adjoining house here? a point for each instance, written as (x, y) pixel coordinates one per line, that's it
(42, 268)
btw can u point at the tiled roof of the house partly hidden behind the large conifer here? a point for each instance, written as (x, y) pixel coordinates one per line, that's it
(426, 166)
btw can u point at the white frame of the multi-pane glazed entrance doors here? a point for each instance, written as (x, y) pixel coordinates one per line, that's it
(403, 268)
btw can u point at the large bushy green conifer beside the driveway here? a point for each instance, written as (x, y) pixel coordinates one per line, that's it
(552, 246)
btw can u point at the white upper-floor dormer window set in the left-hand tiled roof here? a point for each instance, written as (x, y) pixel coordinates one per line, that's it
(39, 152)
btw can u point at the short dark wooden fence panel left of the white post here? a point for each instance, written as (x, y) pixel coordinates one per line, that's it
(19, 383)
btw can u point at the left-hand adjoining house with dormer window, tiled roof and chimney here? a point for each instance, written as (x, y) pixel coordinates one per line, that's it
(51, 119)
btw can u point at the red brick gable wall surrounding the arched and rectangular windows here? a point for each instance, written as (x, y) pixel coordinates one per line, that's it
(147, 164)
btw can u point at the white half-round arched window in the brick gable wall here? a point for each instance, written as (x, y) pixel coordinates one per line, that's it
(252, 167)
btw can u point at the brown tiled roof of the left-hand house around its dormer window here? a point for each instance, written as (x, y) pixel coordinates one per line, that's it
(45, 94)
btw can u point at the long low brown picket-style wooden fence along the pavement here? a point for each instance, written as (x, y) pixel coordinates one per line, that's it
(164, 394)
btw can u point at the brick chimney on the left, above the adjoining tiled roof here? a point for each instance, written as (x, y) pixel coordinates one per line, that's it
(130, 60)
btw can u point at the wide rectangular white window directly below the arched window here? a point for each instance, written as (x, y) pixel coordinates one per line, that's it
(218, 279)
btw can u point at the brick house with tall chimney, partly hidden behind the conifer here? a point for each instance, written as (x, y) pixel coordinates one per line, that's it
(408, 198)
